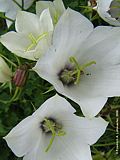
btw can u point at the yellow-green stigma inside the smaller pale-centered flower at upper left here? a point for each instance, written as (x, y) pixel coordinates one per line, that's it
(34, 40)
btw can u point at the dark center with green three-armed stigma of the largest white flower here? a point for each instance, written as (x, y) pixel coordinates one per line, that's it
(71, 73)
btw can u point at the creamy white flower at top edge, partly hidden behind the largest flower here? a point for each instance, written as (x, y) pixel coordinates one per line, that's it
(56, 8)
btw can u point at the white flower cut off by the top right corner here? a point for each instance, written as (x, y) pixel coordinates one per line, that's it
(109, 11)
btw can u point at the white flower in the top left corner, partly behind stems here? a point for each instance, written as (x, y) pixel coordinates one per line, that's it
(11, 8)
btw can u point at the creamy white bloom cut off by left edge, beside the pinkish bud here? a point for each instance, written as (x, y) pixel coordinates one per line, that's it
(5, 72)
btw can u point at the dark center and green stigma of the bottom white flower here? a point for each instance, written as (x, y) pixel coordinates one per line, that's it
(54, 128)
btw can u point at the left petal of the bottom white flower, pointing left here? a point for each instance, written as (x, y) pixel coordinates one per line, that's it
(22, 138)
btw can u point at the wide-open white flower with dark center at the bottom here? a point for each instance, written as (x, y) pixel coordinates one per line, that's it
(32, 138)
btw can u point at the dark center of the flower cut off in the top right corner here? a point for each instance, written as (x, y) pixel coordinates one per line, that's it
(114, 10)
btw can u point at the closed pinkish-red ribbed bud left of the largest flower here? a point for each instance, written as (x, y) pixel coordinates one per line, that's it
(20, 76)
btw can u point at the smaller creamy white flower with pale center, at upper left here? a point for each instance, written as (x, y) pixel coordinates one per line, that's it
(32, 37)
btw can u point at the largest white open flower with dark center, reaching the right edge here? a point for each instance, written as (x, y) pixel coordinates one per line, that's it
(83, 63)
